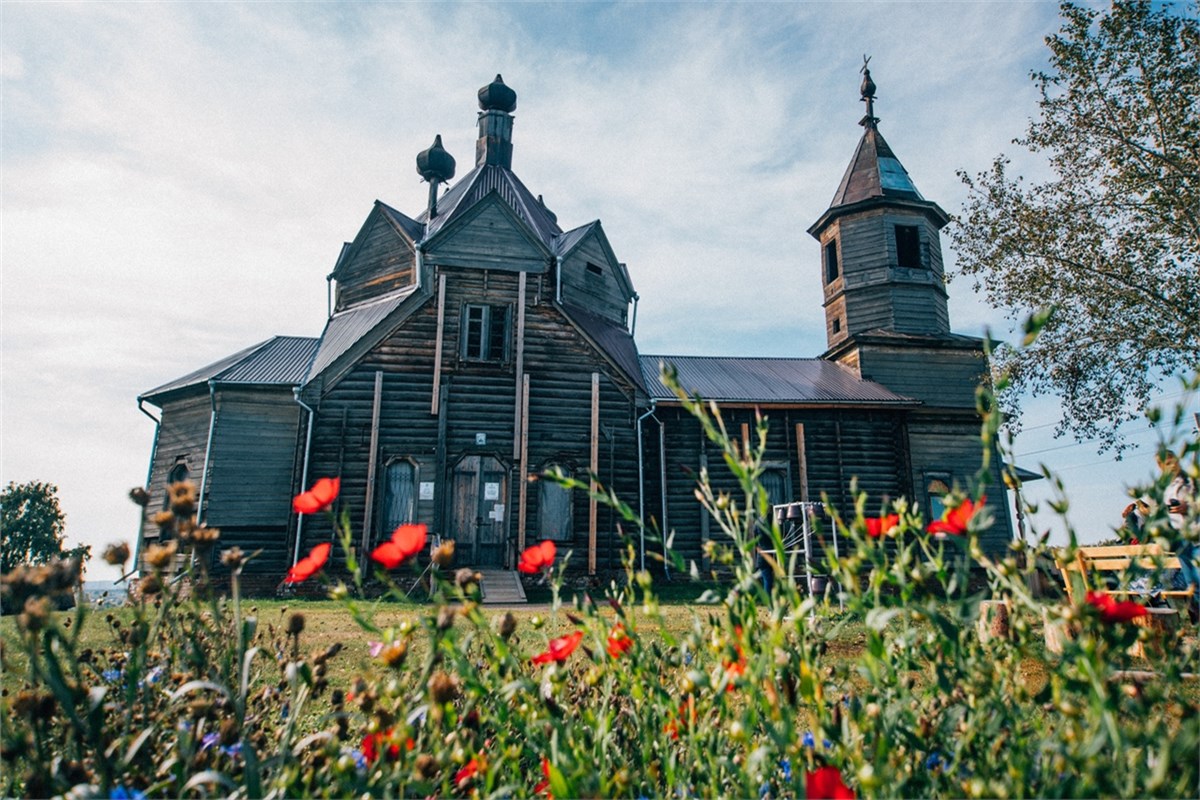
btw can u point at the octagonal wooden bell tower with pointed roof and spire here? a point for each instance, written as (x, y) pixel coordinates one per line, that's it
(881, 254)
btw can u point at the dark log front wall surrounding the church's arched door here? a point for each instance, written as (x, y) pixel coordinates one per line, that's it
(479, 401)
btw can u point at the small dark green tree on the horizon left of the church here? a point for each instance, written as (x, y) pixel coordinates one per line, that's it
(32, 524)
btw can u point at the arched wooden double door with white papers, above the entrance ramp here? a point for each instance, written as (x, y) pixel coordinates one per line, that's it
(479, 515)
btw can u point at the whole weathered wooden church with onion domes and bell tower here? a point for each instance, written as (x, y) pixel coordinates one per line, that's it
(478, 344)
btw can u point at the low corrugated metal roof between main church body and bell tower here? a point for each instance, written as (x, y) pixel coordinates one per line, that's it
(767, 381)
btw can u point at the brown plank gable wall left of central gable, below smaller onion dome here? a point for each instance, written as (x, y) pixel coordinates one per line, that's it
(381, 261)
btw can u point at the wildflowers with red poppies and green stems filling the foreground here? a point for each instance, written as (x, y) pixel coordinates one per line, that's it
(764, 695)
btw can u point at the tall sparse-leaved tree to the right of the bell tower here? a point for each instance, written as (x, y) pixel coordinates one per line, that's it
(1111, 242)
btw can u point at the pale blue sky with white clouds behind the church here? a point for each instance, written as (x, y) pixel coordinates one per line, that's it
(178, 181)
